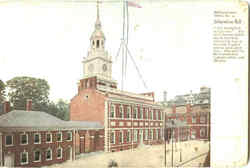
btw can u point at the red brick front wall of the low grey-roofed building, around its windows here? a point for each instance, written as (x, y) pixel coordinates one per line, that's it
(17, 148)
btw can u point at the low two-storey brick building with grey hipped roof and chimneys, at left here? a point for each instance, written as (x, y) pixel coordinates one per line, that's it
(34, 138)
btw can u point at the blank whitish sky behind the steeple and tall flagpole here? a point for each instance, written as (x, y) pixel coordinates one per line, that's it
(170, 42)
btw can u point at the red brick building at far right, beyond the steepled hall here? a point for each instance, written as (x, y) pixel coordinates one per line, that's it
(194, 118)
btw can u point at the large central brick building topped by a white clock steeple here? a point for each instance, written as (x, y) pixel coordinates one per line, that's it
(129, 119)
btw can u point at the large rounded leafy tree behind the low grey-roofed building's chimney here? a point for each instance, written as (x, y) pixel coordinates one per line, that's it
(23, 88)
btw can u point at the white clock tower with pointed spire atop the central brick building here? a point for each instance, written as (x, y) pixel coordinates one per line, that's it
(98, 62)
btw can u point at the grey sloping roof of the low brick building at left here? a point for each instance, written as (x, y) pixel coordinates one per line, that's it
(20, 119)
